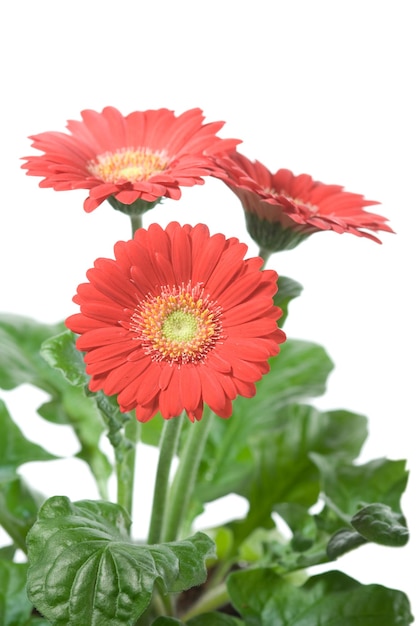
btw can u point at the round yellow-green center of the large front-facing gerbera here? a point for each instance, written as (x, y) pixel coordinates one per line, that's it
(179, 326)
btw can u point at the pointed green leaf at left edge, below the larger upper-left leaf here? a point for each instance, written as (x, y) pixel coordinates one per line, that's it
(15, 449)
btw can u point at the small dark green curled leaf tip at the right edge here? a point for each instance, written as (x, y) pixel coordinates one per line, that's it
(378, 523)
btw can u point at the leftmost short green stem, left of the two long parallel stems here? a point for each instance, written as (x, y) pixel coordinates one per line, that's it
(125, 466)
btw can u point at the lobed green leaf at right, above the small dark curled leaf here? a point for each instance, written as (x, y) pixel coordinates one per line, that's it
(282, 467)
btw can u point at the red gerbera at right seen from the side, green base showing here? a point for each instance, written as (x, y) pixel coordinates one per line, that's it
(282, 209)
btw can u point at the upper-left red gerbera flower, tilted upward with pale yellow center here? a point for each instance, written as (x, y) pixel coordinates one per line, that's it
(141, 157)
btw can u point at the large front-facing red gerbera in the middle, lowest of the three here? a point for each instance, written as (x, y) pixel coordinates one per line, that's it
(178, 319)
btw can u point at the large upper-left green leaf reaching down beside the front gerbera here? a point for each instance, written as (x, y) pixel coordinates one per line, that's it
(23, 342)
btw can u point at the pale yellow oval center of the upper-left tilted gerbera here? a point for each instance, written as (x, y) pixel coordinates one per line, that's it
(128, 165)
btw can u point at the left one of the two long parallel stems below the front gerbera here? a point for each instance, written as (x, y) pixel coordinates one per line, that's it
(168, 446)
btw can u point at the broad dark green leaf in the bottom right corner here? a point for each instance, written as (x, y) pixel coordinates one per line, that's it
(264, 598)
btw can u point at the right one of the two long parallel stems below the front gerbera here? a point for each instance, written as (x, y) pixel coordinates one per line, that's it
(184, 482)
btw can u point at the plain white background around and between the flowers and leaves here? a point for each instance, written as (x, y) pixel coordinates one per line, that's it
(328, 88)
